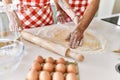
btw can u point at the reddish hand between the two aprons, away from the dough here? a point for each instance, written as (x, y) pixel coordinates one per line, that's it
(61, 16)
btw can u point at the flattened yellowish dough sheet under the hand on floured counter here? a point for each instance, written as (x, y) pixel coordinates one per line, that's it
(58, 35)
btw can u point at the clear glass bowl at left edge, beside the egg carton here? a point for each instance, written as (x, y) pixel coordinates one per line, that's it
(11, 54)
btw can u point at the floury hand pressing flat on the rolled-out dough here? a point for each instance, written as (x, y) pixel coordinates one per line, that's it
(75, 38)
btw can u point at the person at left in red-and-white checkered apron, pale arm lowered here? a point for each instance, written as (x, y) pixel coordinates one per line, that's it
(30, 14)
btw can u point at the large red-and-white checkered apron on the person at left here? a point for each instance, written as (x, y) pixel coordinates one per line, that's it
(35, 13)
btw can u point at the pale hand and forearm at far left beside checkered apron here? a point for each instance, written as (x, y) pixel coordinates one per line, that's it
(14, 22)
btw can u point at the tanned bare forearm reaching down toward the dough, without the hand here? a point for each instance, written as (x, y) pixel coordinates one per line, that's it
(88, 15)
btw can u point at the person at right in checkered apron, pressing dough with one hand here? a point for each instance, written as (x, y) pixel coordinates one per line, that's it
(81, 12)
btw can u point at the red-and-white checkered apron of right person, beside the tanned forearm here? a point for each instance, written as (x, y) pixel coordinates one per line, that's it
(78, 6)
